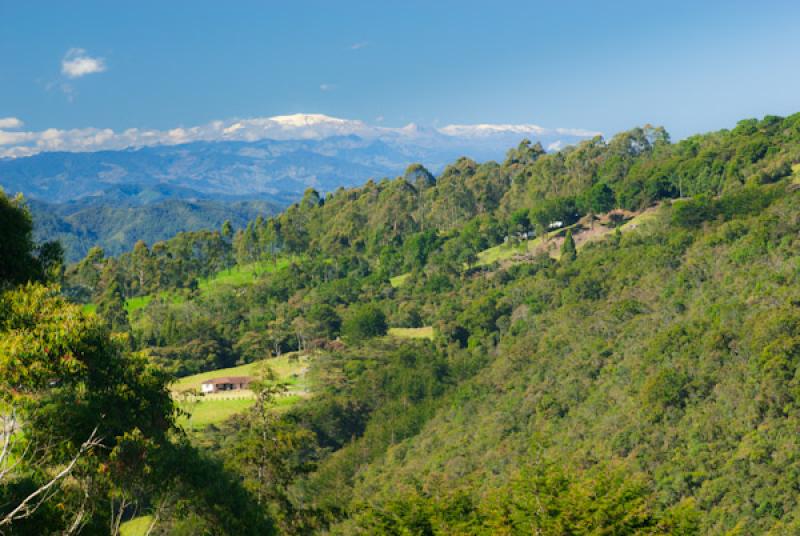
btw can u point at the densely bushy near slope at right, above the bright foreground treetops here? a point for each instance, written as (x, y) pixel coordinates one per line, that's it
(673, 352)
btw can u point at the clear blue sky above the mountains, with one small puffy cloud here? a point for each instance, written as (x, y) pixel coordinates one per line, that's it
(606, 66)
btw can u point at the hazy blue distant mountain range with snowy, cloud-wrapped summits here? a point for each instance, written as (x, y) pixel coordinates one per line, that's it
(187, 179)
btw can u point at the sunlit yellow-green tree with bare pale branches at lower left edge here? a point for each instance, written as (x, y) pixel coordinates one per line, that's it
(70, 392)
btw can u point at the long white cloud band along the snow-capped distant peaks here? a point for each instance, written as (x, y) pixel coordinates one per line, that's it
(16, 143)
